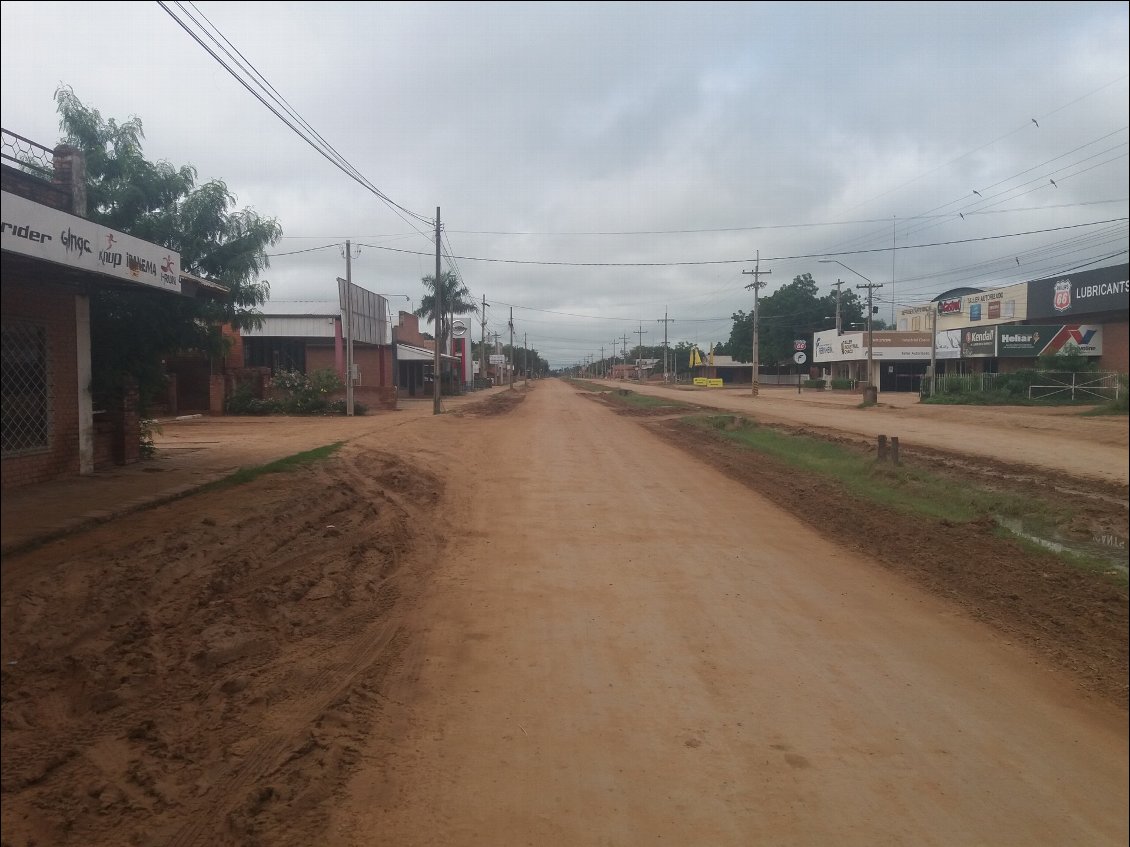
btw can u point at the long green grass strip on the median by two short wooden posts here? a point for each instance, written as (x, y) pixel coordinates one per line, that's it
(903, 488)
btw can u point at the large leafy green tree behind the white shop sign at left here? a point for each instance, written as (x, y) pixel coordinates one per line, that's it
(134, 330)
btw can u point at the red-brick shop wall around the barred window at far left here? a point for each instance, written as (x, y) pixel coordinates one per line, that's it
(53, 307)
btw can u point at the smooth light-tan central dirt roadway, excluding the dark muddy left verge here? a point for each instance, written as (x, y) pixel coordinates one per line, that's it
(637, 650)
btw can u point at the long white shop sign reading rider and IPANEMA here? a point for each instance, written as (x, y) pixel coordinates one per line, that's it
(56, 237)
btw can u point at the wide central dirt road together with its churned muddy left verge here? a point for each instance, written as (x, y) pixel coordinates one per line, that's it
(541, 627)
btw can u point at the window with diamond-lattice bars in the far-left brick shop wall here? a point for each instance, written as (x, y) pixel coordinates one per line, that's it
(27, 390)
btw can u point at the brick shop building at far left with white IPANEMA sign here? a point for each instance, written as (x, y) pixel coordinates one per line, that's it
(54, 260)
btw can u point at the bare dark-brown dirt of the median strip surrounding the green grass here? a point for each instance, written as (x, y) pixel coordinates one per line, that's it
(1075, 619)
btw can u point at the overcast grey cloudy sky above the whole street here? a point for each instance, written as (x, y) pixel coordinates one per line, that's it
(621, 162)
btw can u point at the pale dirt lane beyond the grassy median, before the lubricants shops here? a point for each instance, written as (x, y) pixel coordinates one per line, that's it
(1056, 439)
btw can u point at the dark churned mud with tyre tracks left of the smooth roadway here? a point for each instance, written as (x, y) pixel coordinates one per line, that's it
(205, 673)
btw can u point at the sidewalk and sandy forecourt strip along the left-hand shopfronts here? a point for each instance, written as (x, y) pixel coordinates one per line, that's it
(190, 455)
